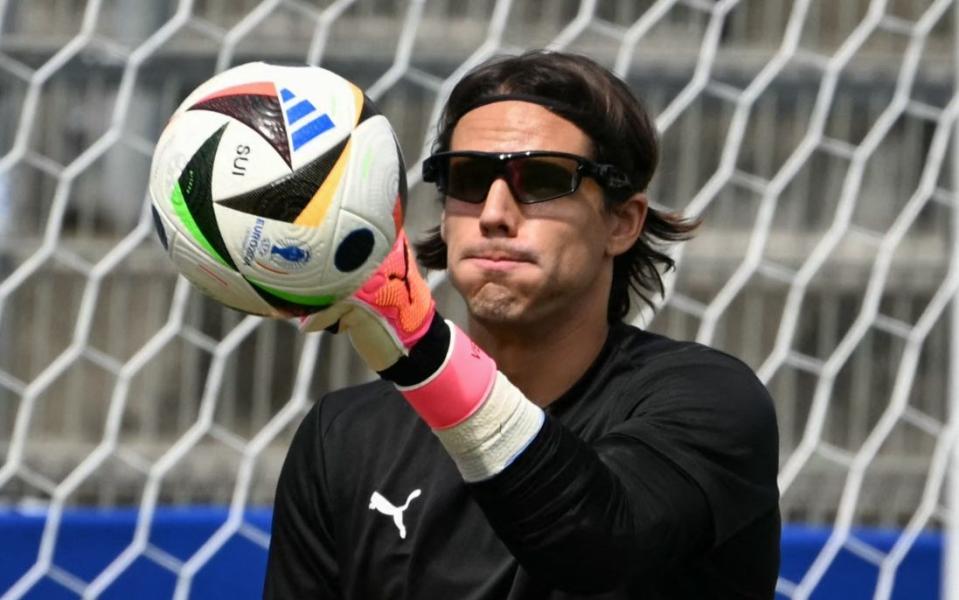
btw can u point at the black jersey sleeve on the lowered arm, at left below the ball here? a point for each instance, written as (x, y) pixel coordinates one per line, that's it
(302, 561)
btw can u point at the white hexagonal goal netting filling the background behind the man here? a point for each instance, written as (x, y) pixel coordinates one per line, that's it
(815, 138)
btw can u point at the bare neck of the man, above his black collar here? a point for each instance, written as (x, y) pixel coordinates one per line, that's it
(543, 361)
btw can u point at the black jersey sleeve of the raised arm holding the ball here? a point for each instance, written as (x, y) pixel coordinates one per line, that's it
(693, 462)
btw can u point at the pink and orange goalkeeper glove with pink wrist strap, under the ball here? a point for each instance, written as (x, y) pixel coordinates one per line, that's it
(393, 324)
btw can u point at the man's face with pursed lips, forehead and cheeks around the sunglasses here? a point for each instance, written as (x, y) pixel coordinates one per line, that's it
(525, 263)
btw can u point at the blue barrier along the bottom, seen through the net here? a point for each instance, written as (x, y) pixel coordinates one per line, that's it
(90, 539)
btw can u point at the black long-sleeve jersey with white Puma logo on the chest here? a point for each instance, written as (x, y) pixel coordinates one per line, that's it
(653, 477)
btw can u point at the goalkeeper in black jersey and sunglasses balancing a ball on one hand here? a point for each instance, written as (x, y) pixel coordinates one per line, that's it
(553, 452)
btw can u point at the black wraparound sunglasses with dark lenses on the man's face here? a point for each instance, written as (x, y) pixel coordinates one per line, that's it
(532, 175)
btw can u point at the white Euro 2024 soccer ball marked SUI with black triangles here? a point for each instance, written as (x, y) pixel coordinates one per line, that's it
(277, 190)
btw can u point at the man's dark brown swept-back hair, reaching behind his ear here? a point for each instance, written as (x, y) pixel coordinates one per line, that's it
(599, 103)
